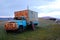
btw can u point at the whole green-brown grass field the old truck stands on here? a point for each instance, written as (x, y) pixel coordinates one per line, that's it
(49, 32)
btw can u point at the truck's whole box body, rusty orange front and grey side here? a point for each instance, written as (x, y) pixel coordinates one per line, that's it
(30, 15)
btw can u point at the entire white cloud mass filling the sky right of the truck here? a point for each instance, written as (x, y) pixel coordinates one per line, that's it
(51, 9)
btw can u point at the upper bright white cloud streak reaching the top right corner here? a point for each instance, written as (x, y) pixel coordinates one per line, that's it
(53, 5)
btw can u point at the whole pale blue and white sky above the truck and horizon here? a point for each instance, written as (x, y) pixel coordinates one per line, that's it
(43, 7)
